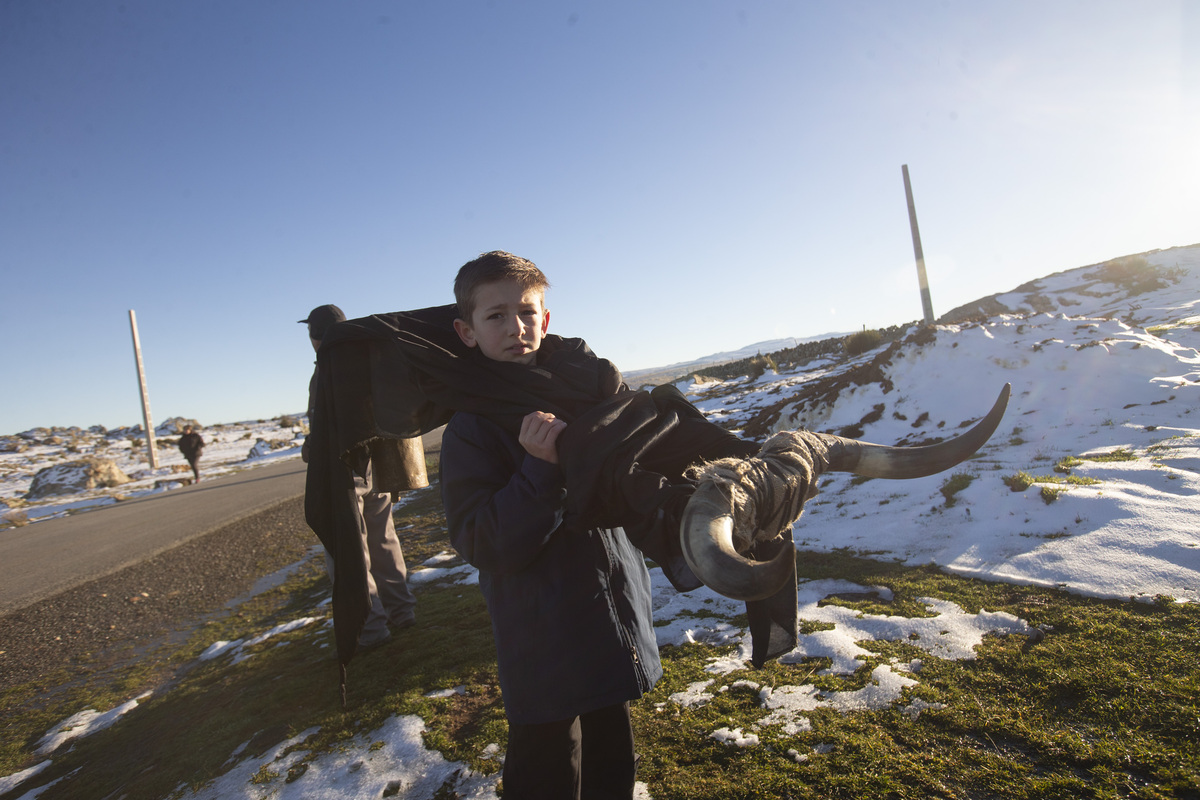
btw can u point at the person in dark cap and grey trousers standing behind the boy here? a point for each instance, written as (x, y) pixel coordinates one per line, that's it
(392, 601)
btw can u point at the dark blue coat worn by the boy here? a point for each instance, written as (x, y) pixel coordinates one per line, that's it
(571, 607)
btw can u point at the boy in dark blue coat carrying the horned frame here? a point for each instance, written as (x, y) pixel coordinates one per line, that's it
(571, 604)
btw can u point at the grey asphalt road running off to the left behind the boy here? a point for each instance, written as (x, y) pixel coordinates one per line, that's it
(43, 560)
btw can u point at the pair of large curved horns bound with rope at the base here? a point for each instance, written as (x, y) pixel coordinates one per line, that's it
(707, 526)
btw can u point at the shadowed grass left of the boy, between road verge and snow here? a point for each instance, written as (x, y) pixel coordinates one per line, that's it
(189, 732)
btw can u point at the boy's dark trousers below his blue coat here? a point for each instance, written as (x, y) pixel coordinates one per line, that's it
(590, 757)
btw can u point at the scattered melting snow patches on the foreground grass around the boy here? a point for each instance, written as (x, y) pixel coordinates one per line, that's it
(394, 761)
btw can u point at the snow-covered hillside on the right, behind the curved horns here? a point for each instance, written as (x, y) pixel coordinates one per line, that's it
(1105, 419)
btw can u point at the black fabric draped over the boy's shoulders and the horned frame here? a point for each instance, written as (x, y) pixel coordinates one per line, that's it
(399, 376)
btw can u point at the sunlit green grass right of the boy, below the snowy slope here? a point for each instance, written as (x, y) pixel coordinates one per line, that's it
(1076, 715)
